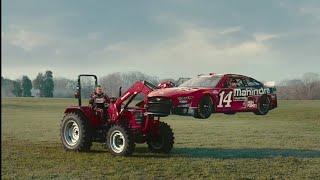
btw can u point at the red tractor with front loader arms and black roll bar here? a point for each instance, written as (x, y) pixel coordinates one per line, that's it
(124, 125)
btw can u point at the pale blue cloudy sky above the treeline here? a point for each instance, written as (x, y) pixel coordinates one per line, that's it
(269, 40)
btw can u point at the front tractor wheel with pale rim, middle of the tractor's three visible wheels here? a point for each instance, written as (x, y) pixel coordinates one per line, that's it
(120, 141)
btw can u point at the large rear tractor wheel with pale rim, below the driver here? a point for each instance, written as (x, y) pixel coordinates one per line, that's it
(75, 133)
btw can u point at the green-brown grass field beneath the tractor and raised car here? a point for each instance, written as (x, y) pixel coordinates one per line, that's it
(285, 144)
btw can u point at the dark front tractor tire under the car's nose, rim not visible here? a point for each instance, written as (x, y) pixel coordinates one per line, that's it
(163, 143)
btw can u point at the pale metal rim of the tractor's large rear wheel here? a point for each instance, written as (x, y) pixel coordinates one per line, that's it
(71, 133)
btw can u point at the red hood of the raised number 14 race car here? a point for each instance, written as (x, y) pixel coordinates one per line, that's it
(170, 92)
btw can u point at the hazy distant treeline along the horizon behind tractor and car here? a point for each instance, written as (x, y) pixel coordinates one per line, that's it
(45, 85)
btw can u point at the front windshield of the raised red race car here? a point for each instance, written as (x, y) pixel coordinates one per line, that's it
(202, 81)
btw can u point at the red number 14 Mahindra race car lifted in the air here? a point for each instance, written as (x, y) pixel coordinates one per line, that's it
(218, 93)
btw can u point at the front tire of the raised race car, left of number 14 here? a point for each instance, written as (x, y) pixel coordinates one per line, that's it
(205, 108)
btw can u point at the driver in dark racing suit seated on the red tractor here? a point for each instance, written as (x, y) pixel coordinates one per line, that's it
(99, 102)
